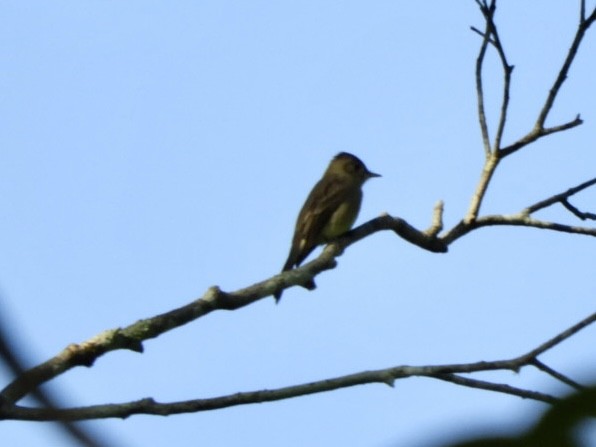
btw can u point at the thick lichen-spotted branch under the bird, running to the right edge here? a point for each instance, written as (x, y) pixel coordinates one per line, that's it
(132, 336)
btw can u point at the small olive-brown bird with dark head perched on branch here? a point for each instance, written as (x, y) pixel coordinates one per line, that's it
(329, 210)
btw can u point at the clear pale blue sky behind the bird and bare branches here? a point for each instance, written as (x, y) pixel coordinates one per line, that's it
(152, 149)
